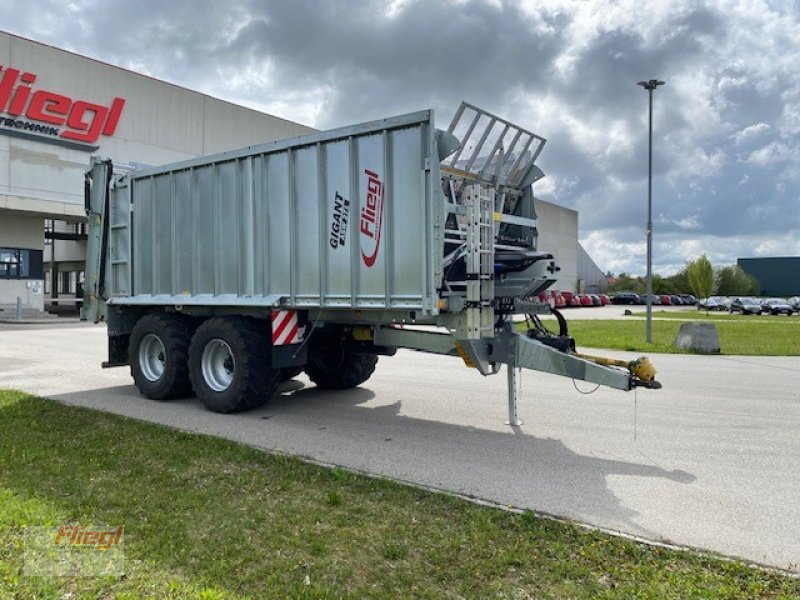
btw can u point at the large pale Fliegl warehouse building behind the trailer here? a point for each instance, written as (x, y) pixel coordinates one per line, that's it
(58, 108)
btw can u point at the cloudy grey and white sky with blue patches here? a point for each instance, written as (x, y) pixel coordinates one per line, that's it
(726, 124)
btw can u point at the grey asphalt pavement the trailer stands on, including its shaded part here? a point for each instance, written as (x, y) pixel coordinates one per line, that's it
(710, 461)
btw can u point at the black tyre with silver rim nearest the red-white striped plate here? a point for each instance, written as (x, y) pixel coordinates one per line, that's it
(229, 364)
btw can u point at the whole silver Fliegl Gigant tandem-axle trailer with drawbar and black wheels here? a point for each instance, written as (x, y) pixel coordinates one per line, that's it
(223, 275)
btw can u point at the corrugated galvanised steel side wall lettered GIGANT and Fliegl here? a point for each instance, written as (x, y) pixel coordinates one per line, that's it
(269, 221)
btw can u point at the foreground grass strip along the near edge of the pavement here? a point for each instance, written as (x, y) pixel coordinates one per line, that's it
(208, 518)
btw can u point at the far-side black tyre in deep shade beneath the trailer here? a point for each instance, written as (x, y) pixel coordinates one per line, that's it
(333, 367)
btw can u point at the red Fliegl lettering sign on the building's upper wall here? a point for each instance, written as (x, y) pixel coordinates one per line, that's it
(53, 118)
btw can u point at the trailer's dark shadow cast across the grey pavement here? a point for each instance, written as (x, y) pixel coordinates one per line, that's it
(344, 428)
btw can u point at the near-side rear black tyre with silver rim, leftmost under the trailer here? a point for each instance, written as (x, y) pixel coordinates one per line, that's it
(158, 353)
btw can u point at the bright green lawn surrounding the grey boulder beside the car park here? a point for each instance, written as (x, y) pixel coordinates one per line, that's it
(738, 335)
